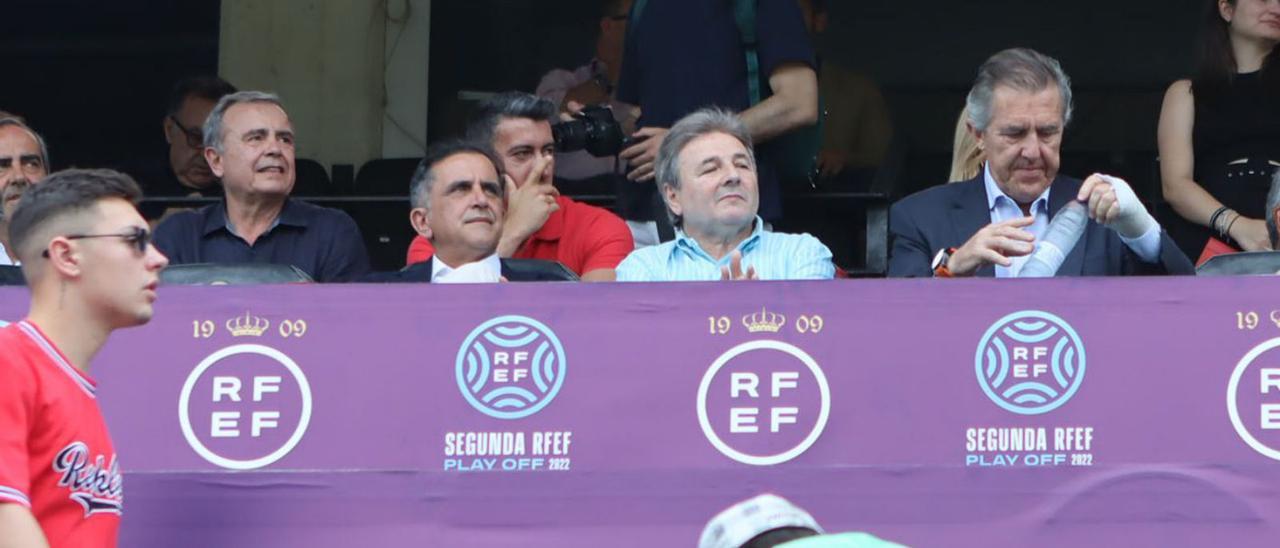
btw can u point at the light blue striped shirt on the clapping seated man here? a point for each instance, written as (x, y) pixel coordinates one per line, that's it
(774, 255)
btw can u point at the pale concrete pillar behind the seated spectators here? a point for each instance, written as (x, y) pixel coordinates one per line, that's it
(353, 74)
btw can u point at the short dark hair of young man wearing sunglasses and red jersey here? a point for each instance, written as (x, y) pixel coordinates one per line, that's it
(62, 194)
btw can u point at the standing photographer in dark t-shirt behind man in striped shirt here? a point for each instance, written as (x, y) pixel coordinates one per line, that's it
(683, 56)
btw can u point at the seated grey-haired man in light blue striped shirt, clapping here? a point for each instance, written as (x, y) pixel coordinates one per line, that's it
(706, 171)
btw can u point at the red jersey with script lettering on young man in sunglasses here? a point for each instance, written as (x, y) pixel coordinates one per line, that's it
(56, 454)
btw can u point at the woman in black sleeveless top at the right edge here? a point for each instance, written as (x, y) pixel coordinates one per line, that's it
(1220, 131)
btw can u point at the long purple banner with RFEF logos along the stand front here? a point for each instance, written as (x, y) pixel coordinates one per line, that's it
(959, 413)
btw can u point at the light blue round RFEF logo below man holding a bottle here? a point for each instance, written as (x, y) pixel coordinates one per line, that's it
(1030, 363)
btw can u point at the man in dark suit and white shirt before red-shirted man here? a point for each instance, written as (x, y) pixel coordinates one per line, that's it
(458, 194)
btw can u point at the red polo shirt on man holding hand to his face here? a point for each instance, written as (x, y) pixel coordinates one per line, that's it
(582, 238)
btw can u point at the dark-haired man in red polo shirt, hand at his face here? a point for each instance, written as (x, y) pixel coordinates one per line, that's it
(541, 223)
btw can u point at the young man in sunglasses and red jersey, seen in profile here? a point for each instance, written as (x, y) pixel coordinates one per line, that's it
(88, 258)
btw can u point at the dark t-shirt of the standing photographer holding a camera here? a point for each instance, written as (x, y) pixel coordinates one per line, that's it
(683, 56)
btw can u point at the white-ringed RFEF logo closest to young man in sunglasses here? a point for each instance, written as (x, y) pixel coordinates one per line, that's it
(245, 407)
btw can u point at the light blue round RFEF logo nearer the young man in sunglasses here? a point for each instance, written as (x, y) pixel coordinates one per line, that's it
(511, 367)
